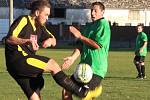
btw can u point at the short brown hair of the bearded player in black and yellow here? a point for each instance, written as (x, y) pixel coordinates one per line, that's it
(39, 5)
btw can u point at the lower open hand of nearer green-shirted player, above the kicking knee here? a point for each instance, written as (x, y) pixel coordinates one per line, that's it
(68, 61)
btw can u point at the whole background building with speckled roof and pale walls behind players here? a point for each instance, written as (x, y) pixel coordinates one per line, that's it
(68, 12)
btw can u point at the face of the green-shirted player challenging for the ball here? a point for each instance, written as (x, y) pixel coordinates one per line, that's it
(96, 13)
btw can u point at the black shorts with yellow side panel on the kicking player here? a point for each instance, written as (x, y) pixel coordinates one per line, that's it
(27, 71)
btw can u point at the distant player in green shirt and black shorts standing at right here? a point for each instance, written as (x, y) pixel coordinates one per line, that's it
(140, 52)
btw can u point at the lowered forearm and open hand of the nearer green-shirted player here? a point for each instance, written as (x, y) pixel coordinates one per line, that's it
(68, 61)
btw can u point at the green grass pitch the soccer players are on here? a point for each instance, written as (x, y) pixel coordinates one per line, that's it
(119, 84)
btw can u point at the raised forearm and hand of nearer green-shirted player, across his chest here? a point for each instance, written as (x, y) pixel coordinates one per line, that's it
(78, 35)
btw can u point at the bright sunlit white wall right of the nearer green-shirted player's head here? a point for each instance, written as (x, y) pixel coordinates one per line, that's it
(124, 16)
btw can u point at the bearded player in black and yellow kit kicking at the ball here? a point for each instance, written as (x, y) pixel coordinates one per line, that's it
(22, 62)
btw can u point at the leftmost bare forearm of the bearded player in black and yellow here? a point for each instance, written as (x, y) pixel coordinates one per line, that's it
(17, 41)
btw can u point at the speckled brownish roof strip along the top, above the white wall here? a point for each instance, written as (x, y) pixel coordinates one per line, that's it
(125, 4)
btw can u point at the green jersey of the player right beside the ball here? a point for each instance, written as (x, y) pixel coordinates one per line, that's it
(98, 31)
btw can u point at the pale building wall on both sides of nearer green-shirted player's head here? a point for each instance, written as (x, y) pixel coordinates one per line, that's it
(122, 16)
